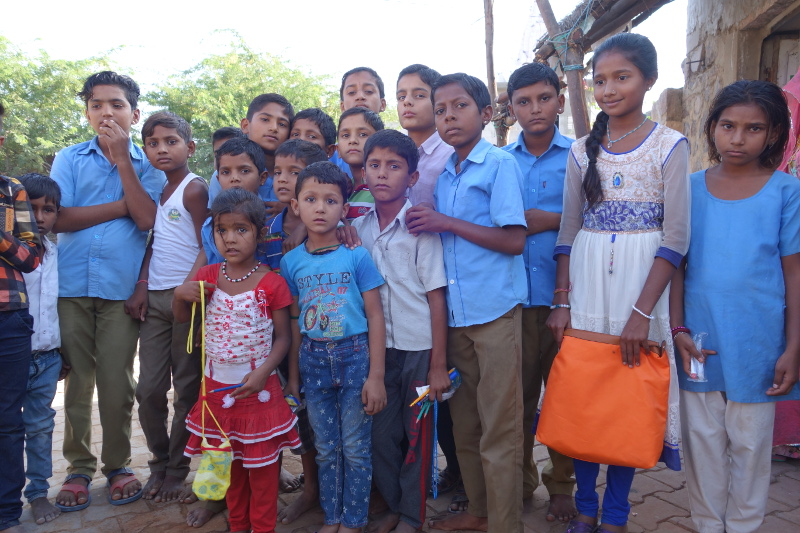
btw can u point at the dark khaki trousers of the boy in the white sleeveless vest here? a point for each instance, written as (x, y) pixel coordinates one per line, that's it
(164, 362)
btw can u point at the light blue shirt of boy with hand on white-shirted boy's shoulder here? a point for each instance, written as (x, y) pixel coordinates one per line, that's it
(482, 284)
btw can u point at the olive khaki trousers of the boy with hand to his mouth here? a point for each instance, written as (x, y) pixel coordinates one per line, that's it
(99, 341)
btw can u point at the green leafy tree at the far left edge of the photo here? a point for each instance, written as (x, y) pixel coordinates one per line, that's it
(43, 113)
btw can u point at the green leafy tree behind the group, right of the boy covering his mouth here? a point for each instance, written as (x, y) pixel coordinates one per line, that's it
(216, 92)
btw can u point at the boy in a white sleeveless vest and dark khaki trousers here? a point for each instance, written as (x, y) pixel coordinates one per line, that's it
(163, 360)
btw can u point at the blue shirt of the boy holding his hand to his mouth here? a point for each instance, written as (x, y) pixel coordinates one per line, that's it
(101, 261)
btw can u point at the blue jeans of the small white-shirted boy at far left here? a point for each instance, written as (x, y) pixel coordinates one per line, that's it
(38, 416)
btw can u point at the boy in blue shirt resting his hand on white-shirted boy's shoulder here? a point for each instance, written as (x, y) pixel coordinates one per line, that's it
(482, 225)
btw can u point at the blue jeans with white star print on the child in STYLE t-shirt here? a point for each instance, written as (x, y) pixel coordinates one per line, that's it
(334, 374)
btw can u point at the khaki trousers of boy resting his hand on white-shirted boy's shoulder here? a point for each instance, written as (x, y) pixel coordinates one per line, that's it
(487, 417)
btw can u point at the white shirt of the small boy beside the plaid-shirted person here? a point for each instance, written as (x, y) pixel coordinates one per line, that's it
(42, 286)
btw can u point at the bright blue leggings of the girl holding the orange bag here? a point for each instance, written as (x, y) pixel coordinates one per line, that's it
(615, 500)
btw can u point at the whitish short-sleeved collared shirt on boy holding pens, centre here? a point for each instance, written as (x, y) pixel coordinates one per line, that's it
(412, 267)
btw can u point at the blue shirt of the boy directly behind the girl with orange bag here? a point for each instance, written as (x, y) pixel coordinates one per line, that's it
(542, 188)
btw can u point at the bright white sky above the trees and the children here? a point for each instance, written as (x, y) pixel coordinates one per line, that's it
(317, 36)
